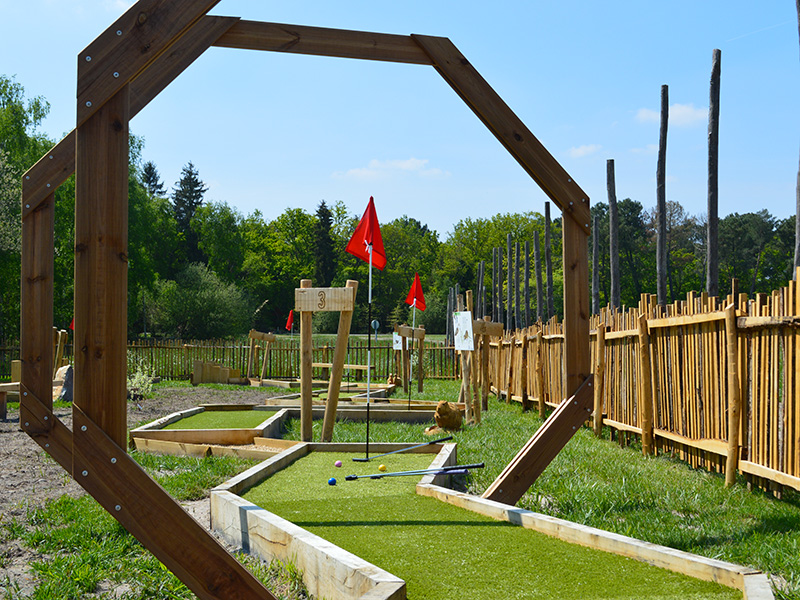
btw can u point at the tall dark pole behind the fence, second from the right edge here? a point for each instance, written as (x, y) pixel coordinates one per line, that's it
(712, 227)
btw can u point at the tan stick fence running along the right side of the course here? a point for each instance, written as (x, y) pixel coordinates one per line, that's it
(682, 377)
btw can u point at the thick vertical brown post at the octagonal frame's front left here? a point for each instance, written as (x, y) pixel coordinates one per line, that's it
(101, 267)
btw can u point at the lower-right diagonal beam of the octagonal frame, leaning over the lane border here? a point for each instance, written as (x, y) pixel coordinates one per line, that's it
(543, 447)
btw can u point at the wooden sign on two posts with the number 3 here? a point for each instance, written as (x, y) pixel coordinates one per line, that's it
(307, 301)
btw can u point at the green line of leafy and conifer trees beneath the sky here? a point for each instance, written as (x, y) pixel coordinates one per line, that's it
(198, 268)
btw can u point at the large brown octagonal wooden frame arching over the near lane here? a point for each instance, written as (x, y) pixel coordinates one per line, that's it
(119, 73)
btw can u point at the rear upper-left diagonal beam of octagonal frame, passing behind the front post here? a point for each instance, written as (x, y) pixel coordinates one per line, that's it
(56, 166)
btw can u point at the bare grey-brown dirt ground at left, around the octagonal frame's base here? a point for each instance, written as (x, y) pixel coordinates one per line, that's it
(29, 477)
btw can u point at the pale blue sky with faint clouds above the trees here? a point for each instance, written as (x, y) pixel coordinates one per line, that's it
(269, 131)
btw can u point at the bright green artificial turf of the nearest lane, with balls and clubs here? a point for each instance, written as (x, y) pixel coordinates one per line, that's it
(444, 552)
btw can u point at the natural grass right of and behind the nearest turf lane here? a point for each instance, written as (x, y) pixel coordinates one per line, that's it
(597, 483)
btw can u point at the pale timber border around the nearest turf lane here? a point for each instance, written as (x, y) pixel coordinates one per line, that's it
(331, 572)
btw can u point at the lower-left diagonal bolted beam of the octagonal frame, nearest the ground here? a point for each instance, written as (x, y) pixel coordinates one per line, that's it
(141, 506)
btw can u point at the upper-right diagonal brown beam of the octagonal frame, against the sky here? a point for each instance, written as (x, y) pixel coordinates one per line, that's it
(508, 128)
